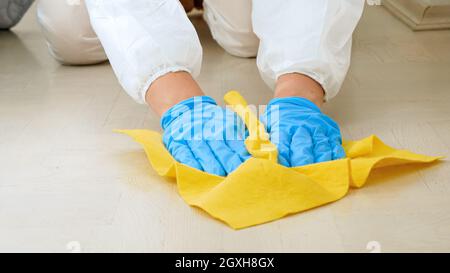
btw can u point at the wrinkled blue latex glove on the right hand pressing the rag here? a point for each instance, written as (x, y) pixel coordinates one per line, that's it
(302, 133)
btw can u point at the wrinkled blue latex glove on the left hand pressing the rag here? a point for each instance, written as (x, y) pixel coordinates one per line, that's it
(207, 137)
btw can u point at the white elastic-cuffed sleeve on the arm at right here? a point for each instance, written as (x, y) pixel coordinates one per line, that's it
(309, 37)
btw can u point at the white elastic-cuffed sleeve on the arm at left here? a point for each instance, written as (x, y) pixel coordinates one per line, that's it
(145, 39)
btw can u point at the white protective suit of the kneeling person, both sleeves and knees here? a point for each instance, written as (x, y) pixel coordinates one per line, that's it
(145, 39)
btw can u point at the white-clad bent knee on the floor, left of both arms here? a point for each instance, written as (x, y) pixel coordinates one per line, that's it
(68, 32)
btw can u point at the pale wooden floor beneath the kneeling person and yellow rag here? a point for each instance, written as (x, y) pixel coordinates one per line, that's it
(67, 181)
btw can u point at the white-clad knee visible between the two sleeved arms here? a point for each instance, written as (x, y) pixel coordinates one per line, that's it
(231, 26)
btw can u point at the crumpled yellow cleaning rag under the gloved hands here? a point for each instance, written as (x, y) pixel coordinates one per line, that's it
(261, 190)
